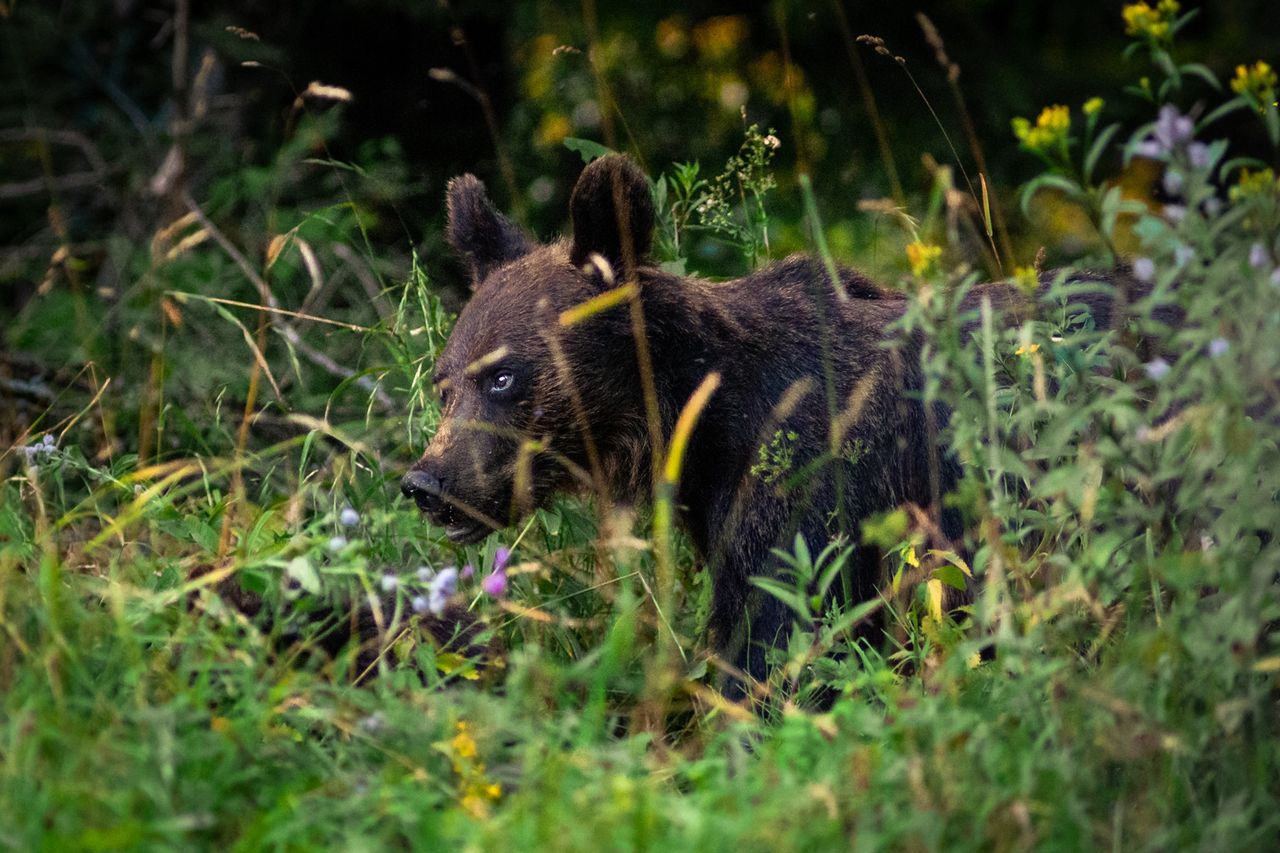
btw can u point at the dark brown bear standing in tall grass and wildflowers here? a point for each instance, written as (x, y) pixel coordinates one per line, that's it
(536, 400)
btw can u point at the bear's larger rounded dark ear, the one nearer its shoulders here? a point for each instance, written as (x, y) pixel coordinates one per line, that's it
(612, 213)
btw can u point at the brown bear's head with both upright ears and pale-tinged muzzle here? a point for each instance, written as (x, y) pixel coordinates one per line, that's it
(533, 394)
